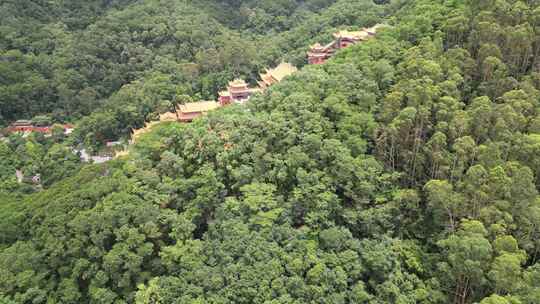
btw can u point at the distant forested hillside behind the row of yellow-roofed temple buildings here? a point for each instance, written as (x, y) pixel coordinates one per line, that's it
(122, 60)
